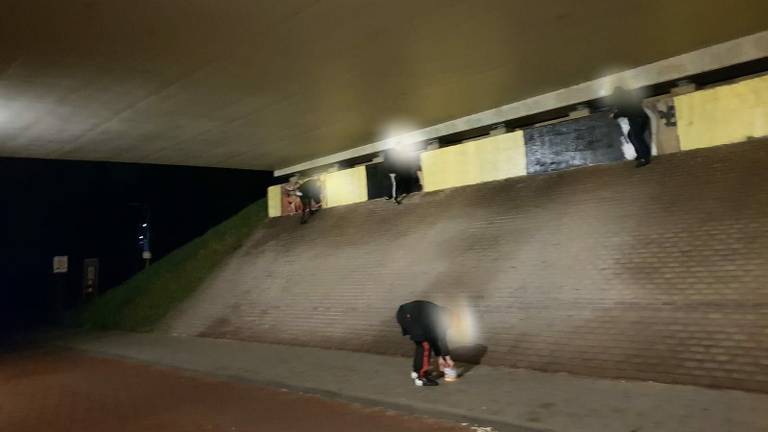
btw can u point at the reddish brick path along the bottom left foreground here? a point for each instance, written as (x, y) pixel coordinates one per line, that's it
(53, 390)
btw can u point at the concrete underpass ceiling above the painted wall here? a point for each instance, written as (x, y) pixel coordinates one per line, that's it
(267, 84)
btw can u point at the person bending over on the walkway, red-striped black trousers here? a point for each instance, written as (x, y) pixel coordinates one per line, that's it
(426, 324)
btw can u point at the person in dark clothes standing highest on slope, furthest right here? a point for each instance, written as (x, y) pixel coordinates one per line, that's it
(627, 105)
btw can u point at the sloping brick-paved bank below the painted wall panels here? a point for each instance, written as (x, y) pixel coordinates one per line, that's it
(656, 273)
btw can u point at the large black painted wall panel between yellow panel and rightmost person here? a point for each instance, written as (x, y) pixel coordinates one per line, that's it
(585, 141)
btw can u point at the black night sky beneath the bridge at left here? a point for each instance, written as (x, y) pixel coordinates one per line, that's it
(83, 210)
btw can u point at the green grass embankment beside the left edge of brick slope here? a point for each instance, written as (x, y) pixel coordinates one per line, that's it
(142, 301)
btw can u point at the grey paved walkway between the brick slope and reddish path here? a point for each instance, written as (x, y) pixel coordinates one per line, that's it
(506, 399)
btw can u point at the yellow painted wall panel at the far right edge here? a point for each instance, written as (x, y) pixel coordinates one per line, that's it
(723, 115)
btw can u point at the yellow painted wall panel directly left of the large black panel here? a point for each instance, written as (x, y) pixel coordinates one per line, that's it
(488, 159)
